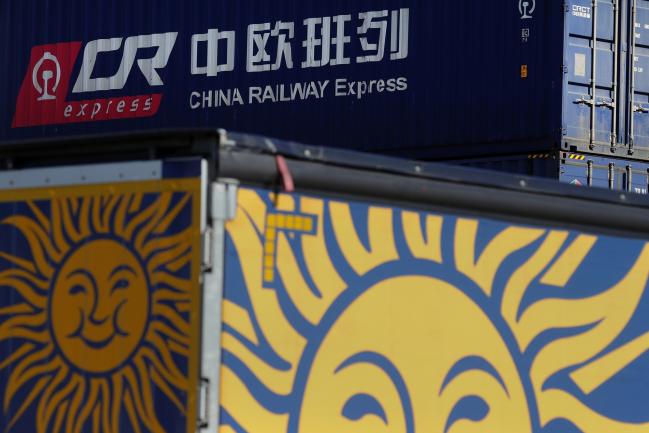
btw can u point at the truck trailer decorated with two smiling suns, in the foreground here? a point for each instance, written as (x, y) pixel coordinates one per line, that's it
(204, 282)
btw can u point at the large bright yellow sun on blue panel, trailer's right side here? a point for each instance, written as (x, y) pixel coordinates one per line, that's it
(382, 319)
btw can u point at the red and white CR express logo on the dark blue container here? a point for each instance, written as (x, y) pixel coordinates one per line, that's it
(43, 95)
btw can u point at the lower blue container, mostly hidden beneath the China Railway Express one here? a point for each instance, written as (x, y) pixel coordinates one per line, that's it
(574, 168)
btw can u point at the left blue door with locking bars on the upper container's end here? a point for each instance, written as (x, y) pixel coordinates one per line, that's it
(589, 111)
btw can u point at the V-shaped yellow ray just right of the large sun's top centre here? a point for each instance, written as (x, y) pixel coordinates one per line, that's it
(482, 270)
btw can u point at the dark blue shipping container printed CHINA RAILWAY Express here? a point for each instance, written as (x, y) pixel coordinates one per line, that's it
(408, 77)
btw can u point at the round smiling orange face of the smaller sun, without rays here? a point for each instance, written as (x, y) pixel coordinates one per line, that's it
(100, 306)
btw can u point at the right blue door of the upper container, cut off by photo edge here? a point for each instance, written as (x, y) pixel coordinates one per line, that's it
(639, 77)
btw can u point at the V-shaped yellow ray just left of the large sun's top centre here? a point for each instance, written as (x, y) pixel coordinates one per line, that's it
(382, 248)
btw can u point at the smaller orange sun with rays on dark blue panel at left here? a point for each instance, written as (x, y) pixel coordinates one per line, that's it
(103, 284)
